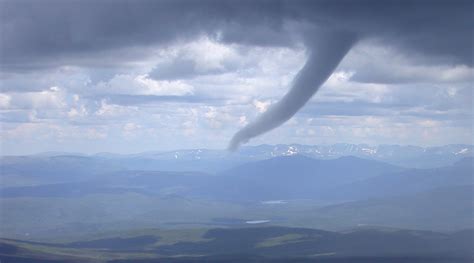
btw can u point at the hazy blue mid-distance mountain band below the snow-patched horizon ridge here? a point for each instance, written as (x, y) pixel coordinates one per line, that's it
(284, 177)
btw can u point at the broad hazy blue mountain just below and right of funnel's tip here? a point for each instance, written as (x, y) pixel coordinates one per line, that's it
(296, 176)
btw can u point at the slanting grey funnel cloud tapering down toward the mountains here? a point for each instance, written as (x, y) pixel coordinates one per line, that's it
(325, 53)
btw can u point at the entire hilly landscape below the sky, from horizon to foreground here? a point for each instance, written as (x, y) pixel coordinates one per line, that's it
(173, 206)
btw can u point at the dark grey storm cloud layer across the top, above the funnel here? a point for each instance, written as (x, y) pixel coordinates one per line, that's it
(36, 33)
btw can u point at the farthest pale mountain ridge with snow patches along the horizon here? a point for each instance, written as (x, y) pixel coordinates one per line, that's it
(387, 153)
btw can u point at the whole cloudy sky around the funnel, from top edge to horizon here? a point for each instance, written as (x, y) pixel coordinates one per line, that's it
(132, 76)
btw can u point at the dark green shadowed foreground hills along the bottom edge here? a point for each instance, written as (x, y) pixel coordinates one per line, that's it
(256, 244)
